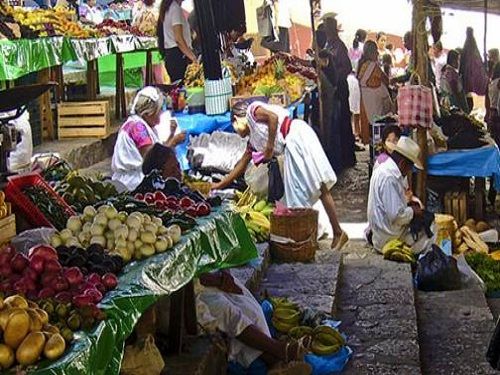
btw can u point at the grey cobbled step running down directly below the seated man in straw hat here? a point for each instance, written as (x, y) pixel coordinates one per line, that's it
(377, 310)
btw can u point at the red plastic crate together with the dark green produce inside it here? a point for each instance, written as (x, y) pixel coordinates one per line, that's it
(37, 201)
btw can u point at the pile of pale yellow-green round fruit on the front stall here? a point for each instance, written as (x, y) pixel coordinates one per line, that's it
(131, 236)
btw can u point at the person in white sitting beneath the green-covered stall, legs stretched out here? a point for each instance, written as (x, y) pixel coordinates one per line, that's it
(224, 304)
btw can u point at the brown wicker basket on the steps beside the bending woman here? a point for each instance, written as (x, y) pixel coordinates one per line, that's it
(302, 227)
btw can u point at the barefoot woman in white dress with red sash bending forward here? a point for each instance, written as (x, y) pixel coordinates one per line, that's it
(308, 175)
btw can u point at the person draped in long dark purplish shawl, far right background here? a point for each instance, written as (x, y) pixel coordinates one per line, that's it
(472, 70)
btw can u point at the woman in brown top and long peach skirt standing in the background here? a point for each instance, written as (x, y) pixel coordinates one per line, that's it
(374, 83)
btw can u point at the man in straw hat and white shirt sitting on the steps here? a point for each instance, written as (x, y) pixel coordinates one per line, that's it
(389, 214)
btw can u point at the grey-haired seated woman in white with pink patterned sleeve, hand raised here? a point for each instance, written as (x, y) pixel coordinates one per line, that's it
(137, 137)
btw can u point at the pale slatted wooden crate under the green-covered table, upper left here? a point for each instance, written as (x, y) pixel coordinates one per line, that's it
(83, 120)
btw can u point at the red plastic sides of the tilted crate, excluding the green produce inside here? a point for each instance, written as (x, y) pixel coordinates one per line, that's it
(14, 194)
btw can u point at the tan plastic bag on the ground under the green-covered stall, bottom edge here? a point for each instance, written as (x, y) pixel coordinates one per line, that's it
(143, 359)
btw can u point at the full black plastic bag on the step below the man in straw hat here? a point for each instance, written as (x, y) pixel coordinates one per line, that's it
(437, 271)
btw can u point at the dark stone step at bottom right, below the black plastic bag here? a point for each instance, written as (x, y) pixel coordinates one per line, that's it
(454, 331)
